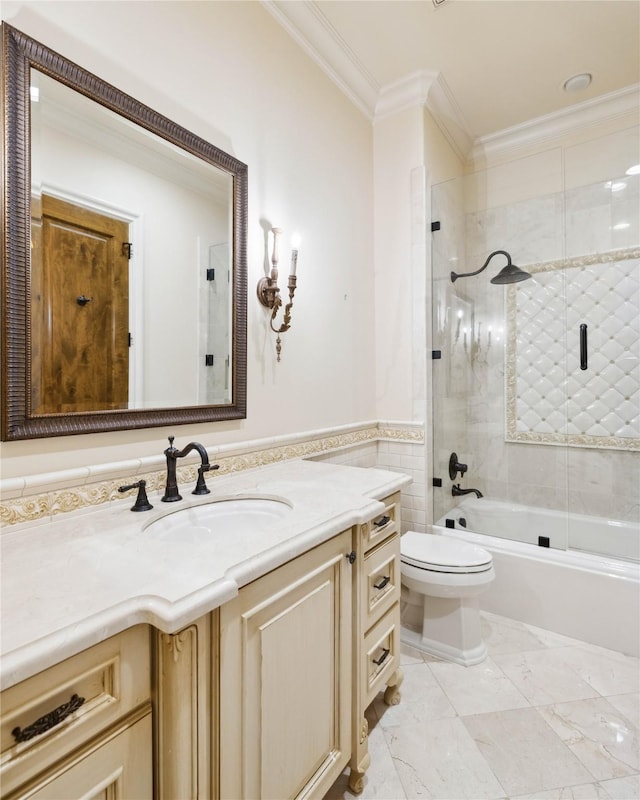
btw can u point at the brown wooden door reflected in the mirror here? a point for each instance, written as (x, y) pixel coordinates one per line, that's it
(79, 309)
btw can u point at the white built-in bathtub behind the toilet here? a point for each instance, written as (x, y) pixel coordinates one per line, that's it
(590, 596)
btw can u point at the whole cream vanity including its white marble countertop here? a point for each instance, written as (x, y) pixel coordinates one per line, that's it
(246, 677)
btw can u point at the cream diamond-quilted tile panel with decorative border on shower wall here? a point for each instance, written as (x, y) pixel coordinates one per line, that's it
(549, 397)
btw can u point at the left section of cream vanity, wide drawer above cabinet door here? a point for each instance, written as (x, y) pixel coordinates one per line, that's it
(82, 728)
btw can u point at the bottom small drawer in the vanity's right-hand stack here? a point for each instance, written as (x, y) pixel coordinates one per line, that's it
(380, 655)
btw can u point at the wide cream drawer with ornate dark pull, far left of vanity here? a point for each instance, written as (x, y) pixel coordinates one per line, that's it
(60, 708)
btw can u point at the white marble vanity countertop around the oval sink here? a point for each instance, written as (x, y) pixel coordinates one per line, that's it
(71, 582)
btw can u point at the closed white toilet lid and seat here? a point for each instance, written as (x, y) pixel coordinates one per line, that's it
(441, 554)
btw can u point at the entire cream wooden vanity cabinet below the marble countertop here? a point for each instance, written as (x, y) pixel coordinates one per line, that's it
(264, 697)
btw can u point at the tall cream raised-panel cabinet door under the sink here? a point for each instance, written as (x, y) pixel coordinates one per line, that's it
(285, 661)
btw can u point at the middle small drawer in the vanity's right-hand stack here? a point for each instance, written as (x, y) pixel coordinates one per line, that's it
(380, 584)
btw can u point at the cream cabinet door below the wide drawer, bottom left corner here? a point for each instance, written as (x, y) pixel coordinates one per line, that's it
(120, 767)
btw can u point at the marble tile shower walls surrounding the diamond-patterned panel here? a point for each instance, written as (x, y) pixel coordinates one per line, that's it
(469, 321)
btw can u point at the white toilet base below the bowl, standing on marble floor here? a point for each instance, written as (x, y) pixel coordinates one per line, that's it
(445, 627)
